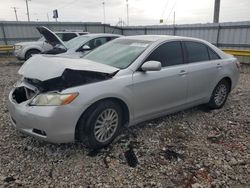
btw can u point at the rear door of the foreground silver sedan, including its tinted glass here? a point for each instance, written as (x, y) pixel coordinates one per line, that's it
(203, 69)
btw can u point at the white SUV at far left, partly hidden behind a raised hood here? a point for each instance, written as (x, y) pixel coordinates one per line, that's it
(24, 50)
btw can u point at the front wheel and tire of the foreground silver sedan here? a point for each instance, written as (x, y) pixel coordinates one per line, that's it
(94, 131)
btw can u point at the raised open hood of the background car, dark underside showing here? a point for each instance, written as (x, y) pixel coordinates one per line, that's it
(50, 36)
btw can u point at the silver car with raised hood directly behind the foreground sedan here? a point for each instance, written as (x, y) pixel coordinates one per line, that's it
(76, 47)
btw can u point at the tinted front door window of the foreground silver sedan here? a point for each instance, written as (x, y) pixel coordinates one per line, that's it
(168, 54)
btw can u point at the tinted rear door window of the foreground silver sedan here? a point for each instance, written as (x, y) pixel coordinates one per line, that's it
(196, 52)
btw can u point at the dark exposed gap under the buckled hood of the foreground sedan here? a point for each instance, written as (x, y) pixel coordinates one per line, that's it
(70, 78)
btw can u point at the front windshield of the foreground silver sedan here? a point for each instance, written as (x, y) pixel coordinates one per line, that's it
(119, 53)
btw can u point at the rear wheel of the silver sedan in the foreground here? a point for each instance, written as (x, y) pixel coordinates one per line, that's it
(219, 95)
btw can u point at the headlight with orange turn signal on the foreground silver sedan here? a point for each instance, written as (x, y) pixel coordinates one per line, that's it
(53, 99)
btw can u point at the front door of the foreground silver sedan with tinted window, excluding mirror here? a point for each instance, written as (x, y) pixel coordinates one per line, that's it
(158, 91)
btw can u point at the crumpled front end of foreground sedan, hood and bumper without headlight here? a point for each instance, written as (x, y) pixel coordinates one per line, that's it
(47, 75)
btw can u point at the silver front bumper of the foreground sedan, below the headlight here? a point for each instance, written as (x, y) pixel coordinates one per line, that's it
(54, 124)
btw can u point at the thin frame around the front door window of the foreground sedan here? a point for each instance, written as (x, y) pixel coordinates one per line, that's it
(164, 42)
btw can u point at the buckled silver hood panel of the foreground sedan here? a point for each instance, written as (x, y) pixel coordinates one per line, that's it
(44, 67)
